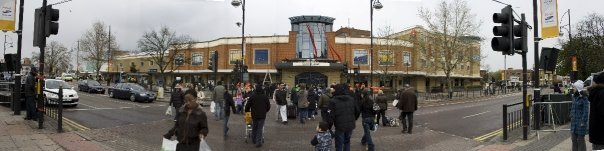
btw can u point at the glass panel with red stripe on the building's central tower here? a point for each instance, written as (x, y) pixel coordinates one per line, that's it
(311, 41)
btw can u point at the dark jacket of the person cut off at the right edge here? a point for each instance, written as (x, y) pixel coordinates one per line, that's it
(596, 114)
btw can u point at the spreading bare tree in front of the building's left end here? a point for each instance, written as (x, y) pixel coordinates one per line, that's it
(163, 46)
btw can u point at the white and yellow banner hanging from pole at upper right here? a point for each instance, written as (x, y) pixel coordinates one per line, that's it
(549, 19)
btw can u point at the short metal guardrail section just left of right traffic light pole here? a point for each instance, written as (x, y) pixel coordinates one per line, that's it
(512, 118)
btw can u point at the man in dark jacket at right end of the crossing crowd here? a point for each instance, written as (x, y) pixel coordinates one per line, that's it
(407, 104)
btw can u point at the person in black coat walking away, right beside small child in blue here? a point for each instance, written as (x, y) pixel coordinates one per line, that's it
(343, 113)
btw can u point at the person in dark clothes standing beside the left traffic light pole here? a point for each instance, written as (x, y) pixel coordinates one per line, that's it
(30, 101)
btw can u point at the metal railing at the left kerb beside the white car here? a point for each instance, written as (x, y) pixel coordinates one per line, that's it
(53, 109)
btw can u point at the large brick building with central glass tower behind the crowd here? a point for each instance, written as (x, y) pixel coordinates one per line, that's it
(313, 53)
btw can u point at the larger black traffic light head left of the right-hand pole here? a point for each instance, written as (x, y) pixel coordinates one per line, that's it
(505, 42)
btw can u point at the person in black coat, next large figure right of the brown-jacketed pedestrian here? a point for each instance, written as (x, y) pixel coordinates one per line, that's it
(259, 106)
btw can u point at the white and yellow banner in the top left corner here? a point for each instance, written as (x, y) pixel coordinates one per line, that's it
(7, 16)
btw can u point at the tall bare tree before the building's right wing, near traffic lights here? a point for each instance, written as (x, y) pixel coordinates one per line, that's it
(449, 43)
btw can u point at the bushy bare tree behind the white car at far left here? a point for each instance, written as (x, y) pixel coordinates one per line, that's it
(56, 59)
